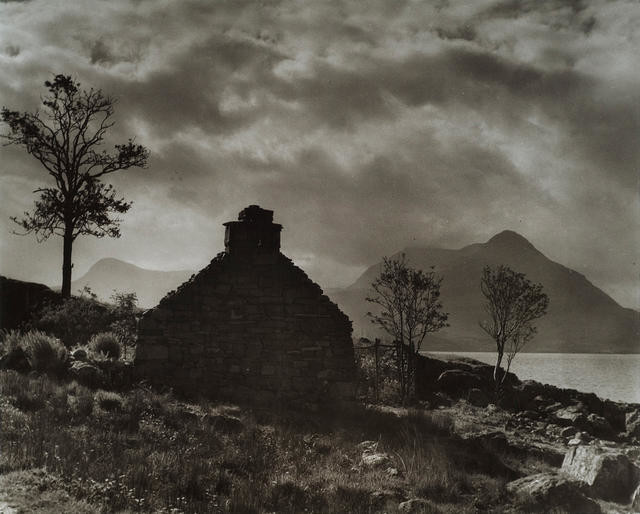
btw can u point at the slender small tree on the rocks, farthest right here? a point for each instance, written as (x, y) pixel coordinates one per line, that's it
(513, 303)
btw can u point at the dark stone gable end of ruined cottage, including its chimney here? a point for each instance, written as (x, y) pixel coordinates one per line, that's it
(251, 326)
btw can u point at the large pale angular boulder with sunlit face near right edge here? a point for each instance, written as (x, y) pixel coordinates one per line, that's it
(608, 472)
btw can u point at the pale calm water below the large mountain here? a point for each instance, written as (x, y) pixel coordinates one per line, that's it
(612, 376)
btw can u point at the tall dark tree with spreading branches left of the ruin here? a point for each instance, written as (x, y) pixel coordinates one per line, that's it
(66, 138)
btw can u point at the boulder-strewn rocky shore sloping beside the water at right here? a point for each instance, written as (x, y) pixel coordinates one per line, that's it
(592, 444)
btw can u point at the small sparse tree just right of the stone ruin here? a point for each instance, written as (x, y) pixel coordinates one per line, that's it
(410, 308)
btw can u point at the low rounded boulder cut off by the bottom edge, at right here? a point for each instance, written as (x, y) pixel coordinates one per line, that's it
(546, 492)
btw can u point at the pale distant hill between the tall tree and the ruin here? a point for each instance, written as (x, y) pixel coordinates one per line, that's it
(108, 275)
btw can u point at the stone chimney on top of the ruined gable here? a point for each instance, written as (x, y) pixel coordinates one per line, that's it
(253, 233)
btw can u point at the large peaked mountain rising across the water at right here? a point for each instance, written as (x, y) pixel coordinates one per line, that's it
(581, 318)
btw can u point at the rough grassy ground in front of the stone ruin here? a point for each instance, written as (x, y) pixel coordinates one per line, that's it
(142, 451)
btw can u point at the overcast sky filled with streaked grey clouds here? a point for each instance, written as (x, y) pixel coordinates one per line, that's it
(366, 126)
